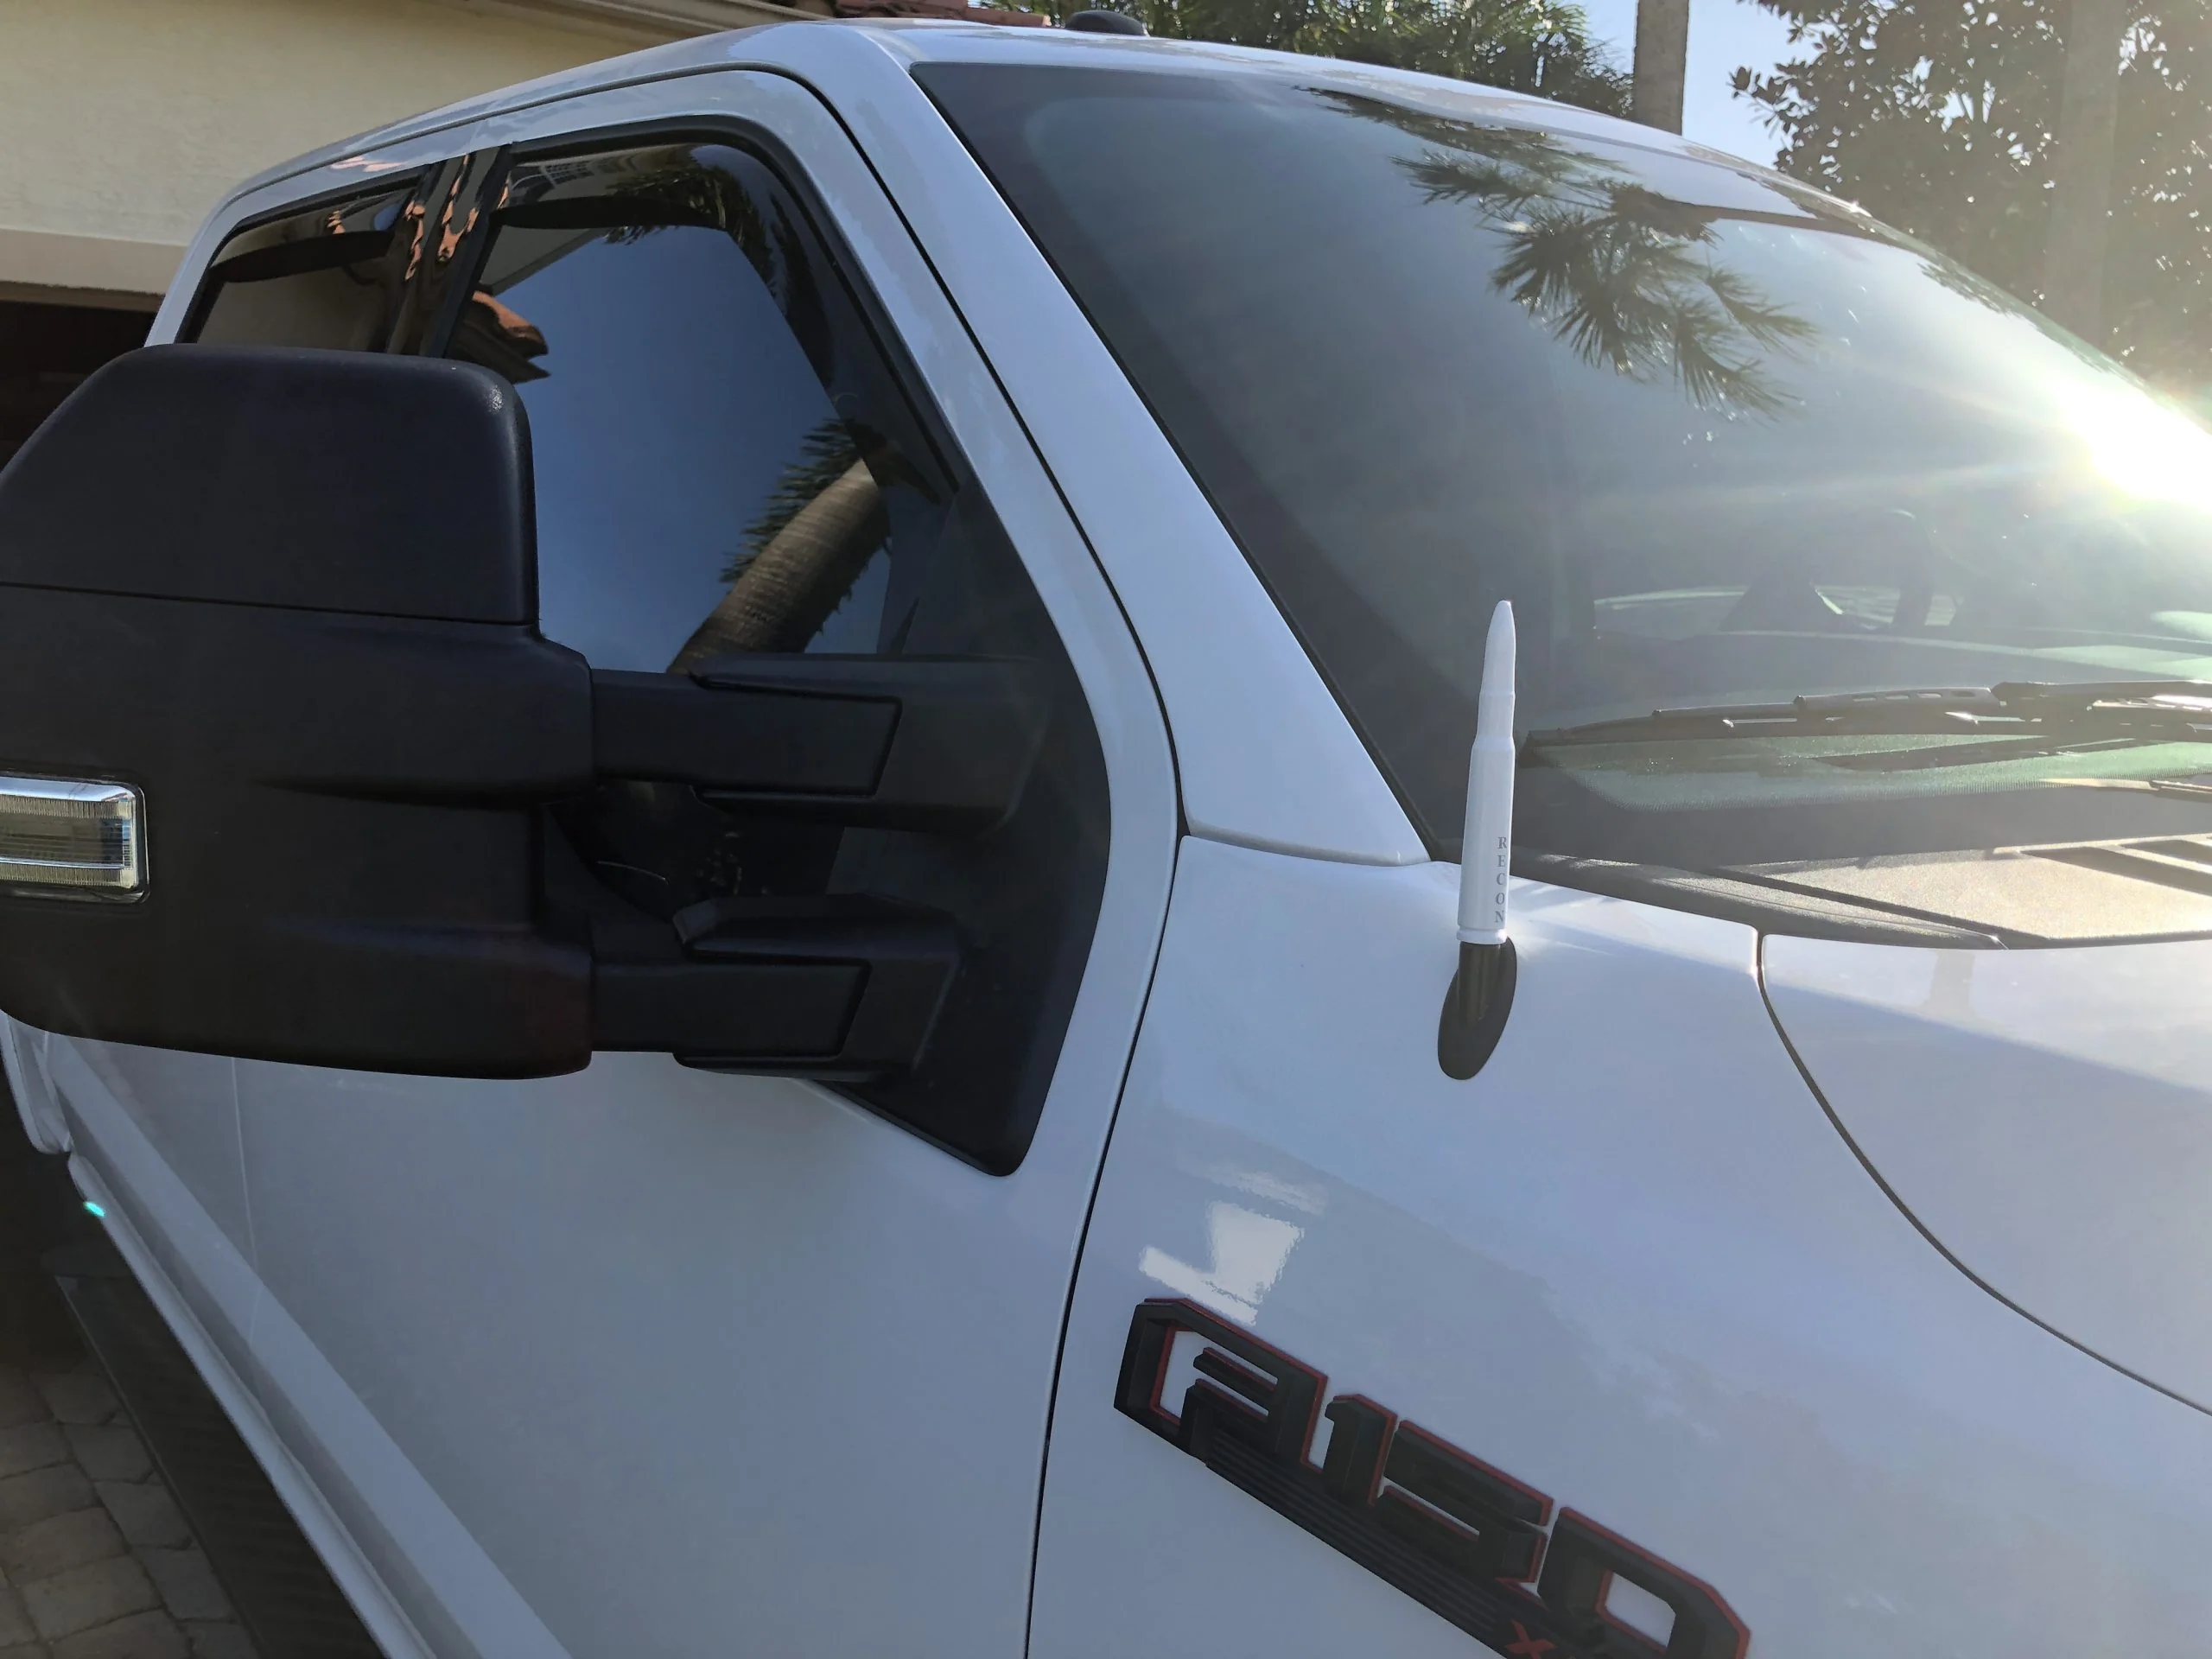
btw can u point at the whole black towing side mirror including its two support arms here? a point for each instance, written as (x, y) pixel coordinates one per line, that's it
(269, 638)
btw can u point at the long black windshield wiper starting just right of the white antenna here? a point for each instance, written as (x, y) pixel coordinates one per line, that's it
(2167, 711)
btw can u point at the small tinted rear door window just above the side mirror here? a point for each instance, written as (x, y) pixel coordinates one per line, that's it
(331, 278)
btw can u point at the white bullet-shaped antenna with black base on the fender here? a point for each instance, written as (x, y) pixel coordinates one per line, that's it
(1483, 990)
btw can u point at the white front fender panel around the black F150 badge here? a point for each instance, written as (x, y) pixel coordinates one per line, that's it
(1629, 1266)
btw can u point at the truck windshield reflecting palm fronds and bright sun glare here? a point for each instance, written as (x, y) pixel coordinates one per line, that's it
(1715, 437)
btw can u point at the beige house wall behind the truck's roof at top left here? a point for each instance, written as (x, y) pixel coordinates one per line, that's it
(125, 121)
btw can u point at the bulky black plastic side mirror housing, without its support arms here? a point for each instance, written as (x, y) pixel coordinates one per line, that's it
(291, 601)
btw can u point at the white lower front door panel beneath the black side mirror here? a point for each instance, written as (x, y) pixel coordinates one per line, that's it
(678, 1350)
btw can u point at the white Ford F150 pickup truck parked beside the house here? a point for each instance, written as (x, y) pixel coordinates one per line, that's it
(731, 853)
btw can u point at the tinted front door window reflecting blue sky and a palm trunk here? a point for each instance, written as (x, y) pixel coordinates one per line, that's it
(713, 466)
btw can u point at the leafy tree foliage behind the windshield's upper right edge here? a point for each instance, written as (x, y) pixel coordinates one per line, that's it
(1941, 116)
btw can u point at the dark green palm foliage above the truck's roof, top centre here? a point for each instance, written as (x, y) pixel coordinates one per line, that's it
(1523, 45)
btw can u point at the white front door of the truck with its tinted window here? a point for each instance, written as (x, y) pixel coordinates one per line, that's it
(651, 1357)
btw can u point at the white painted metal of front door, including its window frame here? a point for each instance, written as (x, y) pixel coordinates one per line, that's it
(682, 1350)
